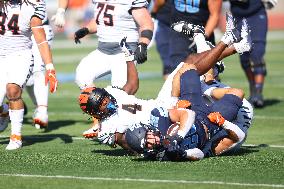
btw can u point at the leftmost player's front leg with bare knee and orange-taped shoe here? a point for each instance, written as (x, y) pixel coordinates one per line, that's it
(16, 78)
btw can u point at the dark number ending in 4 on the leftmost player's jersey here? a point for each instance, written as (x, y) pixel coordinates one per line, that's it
(12, 24)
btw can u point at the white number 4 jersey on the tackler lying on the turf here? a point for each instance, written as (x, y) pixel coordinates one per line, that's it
(131, 111)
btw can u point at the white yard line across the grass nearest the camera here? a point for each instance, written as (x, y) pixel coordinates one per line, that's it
(146, 180)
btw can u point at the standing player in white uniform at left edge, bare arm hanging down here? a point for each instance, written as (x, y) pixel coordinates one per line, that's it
(21, 19)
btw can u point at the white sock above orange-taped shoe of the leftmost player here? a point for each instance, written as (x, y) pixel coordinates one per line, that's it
(16, 117)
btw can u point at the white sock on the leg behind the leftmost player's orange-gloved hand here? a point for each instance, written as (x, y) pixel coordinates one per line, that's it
(40, 89)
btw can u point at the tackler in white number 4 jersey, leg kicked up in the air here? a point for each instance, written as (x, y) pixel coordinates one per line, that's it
(89, 97)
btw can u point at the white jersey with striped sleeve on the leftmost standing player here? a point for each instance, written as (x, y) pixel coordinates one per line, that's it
(15, 30)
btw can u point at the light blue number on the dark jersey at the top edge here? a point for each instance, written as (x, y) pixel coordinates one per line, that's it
(189, 6)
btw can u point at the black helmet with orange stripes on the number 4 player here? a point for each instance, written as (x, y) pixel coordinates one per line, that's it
(91, 100)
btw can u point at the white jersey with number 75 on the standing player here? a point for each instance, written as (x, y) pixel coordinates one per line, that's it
(114, 19)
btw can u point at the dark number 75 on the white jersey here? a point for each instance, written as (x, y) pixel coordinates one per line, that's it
(105, 10)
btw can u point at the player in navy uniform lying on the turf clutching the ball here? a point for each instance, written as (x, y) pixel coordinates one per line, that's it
(193, 131)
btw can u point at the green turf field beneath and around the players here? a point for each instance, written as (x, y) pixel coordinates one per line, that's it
(61, 158)
